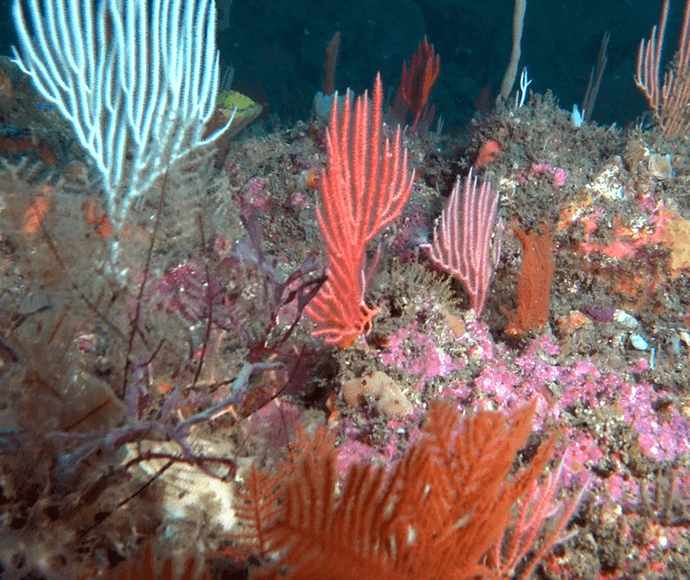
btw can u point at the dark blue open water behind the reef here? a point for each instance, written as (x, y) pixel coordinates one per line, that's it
(277, 48)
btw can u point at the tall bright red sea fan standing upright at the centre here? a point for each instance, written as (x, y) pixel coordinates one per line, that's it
(363, 189)
